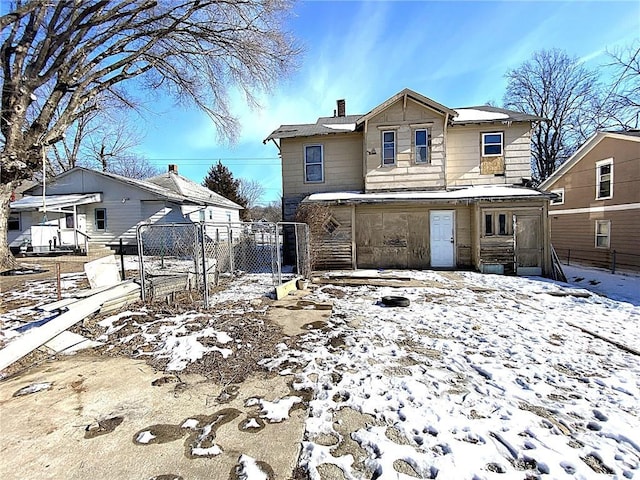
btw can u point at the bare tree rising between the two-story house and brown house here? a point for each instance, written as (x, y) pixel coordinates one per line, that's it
(557, 87)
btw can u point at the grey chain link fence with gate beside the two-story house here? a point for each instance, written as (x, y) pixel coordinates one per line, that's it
(198, 257)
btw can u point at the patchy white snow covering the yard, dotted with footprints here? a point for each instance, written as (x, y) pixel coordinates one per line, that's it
(482, 376)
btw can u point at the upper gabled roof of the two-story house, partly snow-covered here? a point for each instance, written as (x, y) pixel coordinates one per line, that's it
(351, 123)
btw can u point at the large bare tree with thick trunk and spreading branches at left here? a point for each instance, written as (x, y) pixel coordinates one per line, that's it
(59, 58)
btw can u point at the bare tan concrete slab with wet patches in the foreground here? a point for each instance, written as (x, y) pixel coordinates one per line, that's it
(91, 423)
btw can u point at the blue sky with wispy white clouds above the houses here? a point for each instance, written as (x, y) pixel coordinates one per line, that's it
(365, 52)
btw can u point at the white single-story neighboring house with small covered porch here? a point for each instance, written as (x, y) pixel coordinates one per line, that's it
(84, 209)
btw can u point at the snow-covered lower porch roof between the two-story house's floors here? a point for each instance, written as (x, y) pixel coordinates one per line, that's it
(473, 193)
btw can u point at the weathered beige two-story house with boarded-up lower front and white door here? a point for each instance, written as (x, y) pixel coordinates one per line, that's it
(415, 184)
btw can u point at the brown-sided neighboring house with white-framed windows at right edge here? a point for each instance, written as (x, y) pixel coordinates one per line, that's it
(596, 214)
